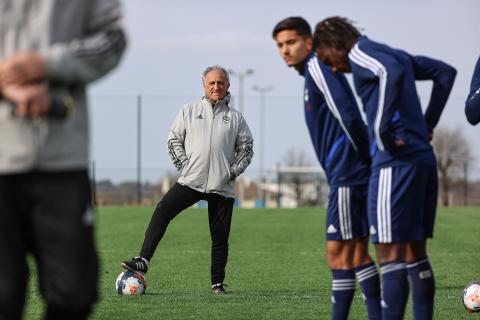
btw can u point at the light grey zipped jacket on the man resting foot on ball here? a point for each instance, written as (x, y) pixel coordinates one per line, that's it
(210, 146)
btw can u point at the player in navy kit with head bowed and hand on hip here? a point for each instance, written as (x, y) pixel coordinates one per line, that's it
(403, 185)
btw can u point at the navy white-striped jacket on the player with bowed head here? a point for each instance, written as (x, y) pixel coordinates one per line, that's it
(385, 80)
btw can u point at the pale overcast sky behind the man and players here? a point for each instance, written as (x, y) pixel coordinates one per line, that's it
(171, 43)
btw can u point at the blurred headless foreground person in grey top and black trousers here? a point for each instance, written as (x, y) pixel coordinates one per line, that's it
(50, 50)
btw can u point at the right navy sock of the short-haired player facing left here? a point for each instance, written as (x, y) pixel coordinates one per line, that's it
(369, 280)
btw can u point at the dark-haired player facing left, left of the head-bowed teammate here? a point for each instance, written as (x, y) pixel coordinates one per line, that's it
(340, 139)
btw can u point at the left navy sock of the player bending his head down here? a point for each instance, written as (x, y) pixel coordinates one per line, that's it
(395, 289)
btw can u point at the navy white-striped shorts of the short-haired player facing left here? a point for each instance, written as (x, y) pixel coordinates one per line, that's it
(347, 212)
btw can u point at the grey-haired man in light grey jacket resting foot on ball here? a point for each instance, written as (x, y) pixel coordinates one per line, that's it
(210, 144)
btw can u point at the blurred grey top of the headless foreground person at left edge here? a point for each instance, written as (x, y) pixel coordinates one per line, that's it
(81, 41)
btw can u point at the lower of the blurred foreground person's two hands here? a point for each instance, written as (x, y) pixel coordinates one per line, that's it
(31, 100)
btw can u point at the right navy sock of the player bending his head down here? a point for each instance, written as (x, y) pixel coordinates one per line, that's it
(423, 288)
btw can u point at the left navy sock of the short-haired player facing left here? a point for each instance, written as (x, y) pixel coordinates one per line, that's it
(343, 288)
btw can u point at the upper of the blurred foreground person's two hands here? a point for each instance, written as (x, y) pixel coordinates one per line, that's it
(22, 68)
